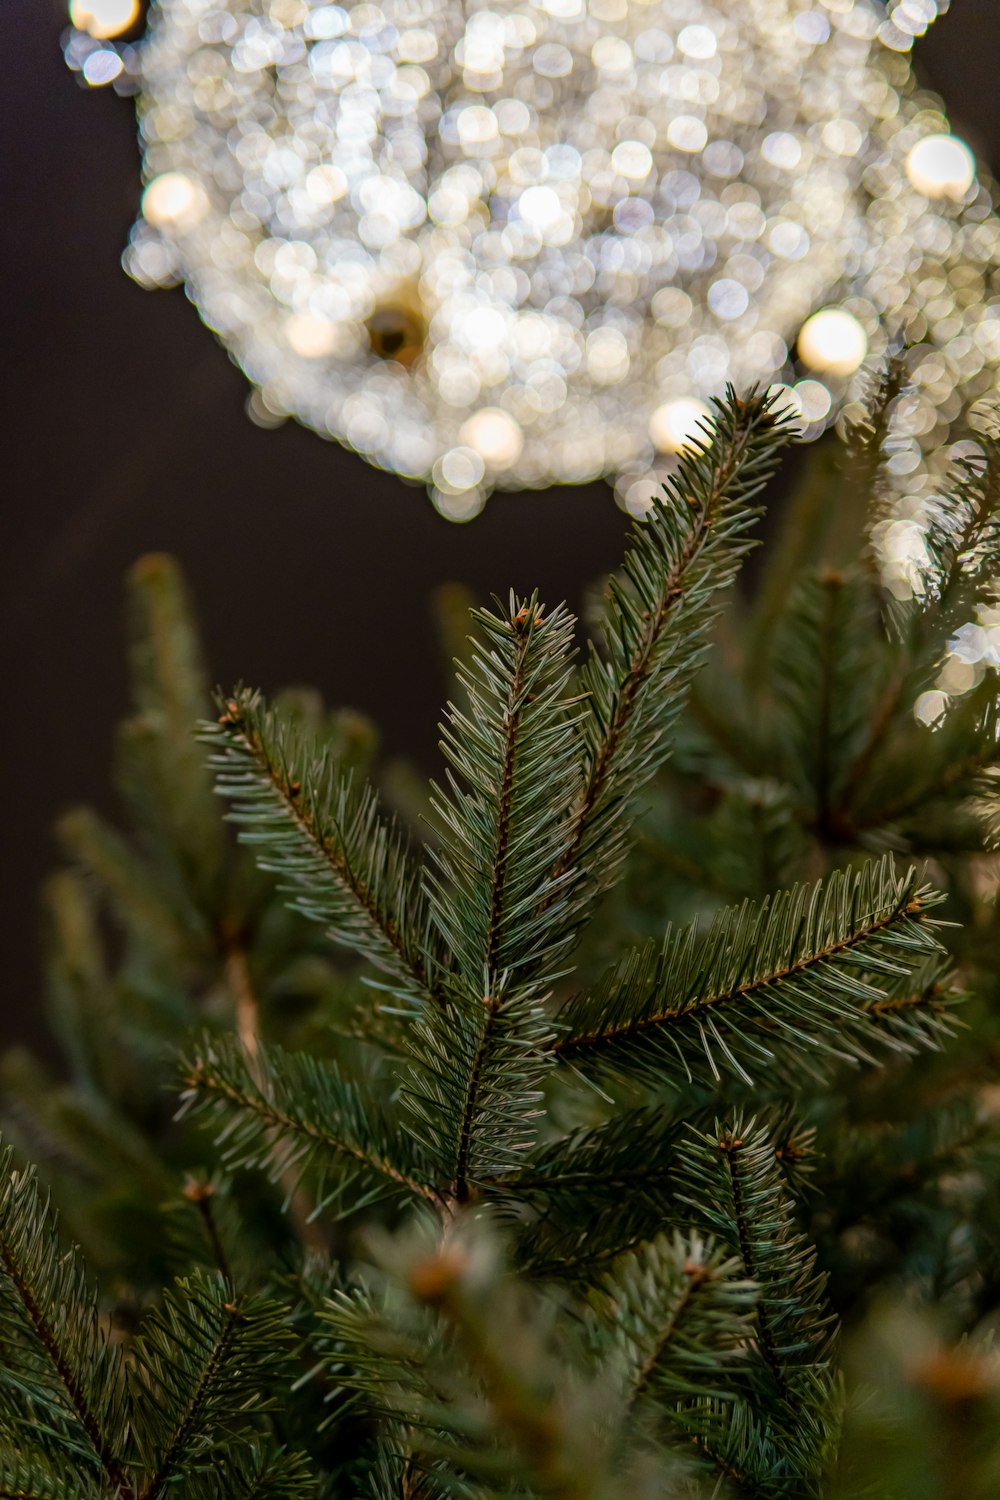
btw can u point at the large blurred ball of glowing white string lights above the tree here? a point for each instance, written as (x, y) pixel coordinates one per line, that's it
(525, 242)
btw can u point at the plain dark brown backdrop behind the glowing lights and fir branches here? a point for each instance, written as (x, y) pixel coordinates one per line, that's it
(124, 431)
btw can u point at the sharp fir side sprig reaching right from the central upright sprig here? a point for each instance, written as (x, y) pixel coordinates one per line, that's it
(795, 973)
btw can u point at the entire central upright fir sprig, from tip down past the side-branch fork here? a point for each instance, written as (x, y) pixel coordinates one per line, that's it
(476, 1084)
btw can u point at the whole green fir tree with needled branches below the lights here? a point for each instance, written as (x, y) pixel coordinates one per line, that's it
(551, 1153)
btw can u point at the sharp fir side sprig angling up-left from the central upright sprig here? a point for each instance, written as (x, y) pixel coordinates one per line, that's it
(326, 839)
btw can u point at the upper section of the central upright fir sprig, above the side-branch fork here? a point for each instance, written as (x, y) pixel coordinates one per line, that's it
(515, 770)
